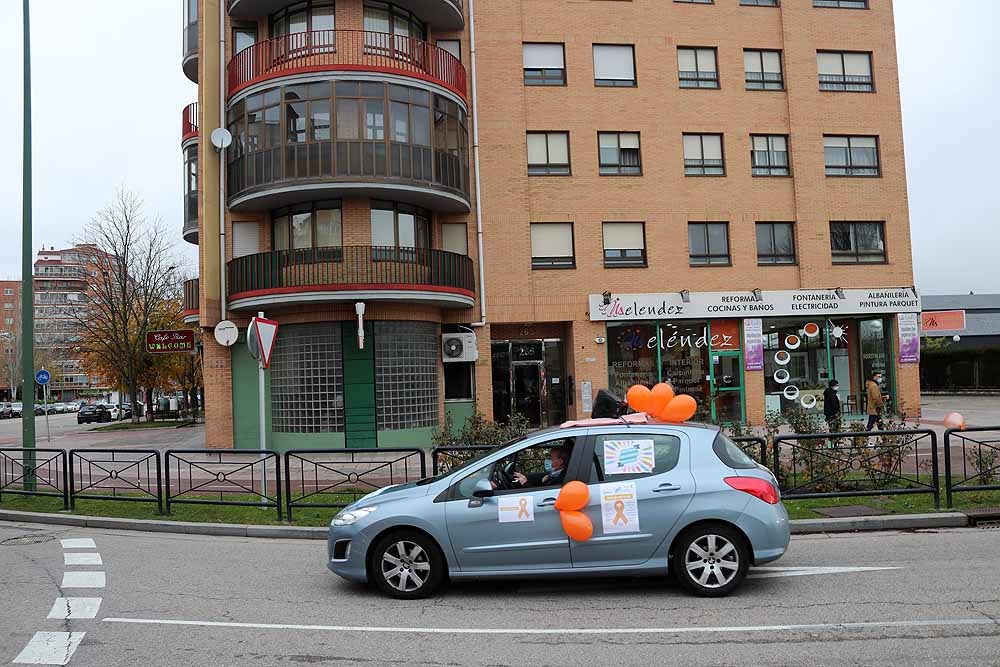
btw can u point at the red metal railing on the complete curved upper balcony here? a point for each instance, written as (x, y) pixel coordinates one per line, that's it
(325, 50)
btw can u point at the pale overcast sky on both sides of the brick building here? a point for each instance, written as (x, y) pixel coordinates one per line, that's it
(108, 93)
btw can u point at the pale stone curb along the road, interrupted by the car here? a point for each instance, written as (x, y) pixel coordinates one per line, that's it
(798, 526)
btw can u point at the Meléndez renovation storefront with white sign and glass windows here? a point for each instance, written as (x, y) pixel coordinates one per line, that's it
(744, 354)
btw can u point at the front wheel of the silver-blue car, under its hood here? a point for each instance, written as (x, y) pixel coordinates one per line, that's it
(407, 565)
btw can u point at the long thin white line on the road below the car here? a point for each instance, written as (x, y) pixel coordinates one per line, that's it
(818, 627)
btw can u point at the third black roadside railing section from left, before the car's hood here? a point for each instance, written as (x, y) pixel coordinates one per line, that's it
(248, 478)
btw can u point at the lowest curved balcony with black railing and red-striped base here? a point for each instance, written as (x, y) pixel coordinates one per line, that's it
(349, 274)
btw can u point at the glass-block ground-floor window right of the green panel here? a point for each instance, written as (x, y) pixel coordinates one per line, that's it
(406, 374)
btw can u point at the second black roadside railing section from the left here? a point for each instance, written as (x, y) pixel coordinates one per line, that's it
(115, 474)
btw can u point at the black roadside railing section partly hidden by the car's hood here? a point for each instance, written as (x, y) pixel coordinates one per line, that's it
(338, 477)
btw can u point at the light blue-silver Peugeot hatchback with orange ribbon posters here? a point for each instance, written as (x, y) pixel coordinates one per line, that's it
(663, 498)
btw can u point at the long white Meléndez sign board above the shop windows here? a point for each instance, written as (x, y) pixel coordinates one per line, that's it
(739, 305)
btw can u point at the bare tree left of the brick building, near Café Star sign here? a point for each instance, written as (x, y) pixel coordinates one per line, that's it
(130, 259)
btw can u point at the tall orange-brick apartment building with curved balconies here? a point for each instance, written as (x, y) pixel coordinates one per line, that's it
(534, 201)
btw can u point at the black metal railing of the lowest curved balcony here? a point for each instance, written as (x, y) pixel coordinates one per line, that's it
(350, 267)
